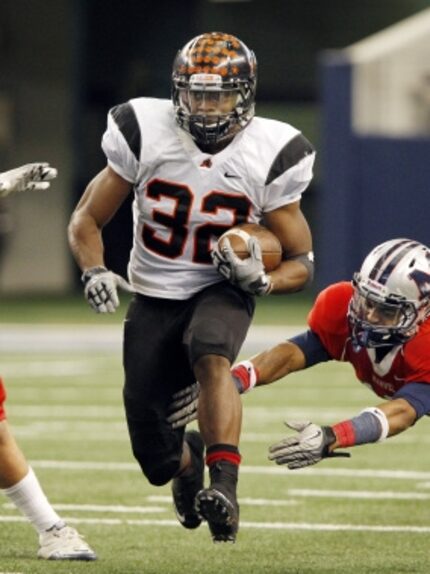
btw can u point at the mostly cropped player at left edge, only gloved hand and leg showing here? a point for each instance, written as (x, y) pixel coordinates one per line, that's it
(57, 541)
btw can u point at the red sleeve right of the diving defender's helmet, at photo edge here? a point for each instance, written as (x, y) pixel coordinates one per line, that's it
(417, 356)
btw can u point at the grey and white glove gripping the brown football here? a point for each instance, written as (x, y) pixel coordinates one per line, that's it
(248, 274)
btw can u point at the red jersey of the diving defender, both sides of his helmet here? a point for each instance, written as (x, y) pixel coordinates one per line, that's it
(404, 364)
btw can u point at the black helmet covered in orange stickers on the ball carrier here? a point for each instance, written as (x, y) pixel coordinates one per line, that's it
(214, 63)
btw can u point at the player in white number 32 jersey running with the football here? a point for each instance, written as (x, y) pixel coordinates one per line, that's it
(197, 164)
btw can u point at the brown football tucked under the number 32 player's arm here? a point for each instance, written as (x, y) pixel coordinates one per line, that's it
(270, 246)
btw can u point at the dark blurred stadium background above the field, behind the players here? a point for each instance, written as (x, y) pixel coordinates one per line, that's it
(363, 101)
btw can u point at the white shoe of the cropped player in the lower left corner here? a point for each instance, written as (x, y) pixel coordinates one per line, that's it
(64, 543)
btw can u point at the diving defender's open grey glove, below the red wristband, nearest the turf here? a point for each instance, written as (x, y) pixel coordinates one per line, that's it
(308, 447)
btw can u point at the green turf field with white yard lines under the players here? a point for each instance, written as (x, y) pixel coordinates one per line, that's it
(367, 514)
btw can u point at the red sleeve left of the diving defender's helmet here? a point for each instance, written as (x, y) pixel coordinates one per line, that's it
(328, 317)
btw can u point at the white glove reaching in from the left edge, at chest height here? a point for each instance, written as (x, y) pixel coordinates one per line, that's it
(26, 178)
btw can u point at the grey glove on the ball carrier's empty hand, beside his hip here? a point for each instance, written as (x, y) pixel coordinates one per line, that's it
(100, 289)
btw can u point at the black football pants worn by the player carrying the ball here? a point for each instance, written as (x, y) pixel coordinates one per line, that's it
(163, 338)
